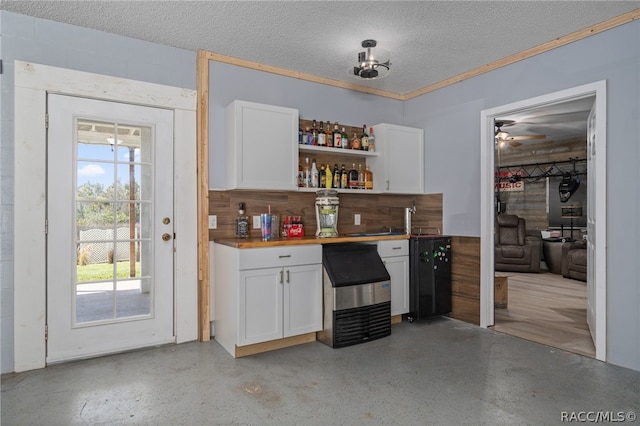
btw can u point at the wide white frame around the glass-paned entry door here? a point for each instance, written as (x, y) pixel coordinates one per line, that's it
(32, 83)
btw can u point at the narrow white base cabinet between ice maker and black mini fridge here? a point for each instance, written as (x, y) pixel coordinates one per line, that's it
(395, 256)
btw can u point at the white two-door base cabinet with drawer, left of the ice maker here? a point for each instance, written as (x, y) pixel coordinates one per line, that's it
(265, 294)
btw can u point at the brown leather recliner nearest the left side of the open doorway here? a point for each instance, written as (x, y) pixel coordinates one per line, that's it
(514, 250)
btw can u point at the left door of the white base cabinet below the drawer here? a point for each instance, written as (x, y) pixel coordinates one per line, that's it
(260, 306)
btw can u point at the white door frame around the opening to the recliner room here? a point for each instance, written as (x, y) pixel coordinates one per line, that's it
(487, 149)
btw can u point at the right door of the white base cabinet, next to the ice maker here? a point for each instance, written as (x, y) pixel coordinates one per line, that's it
(302, 299)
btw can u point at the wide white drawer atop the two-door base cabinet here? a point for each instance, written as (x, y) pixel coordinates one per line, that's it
(273, 257)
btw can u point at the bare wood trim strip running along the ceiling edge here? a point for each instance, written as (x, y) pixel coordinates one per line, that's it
(545, 47)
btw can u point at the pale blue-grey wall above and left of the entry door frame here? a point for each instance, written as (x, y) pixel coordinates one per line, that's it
(65, 46)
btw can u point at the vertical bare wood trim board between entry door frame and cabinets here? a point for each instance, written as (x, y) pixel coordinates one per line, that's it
(202, 126)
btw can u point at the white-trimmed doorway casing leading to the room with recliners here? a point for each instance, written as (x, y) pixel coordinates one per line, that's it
(597, 207)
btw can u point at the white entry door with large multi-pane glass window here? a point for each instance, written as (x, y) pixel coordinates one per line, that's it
(110, 227)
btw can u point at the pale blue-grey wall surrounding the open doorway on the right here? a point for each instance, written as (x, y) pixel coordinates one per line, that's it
(451, 119)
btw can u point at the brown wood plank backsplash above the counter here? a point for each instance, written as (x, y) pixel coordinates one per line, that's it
(376, 210)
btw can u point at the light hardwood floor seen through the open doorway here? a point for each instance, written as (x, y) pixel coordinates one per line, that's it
(547, 308)
